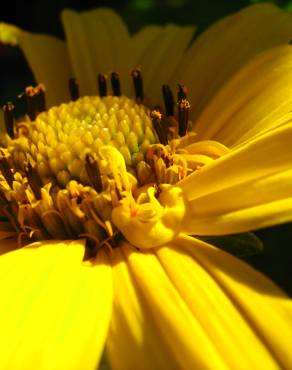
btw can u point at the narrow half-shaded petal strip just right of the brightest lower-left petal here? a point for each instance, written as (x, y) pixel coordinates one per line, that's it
(134, 340)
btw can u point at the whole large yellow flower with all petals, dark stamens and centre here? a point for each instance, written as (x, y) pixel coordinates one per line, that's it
(154, 296)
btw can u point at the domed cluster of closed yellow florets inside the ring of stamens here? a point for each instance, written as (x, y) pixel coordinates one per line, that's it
(59, 140)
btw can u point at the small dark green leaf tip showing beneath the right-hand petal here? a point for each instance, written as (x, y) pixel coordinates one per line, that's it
(240, 245)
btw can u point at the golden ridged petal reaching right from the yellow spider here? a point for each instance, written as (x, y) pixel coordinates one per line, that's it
(248, 188)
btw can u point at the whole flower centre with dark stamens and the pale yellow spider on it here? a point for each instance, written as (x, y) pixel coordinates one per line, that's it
(100, 167)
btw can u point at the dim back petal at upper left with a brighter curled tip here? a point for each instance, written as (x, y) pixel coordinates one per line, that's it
(48, 58)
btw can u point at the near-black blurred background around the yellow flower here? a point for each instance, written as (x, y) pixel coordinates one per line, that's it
(43, 16)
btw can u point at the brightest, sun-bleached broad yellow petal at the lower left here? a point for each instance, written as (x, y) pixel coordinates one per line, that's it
(55, 311)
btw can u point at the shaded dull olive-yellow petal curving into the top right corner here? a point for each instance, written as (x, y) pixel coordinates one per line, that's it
(228, 45)
